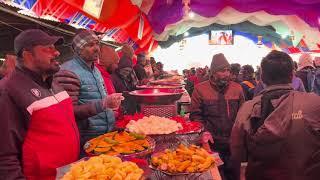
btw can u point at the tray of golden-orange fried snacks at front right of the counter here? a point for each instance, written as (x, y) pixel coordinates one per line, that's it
(182, 160)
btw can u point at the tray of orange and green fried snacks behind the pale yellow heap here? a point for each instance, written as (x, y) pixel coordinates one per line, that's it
(120, 143)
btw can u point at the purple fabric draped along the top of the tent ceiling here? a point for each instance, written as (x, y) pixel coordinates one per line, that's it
(166, 12)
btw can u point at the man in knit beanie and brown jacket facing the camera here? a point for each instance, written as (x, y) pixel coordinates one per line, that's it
(216, 102)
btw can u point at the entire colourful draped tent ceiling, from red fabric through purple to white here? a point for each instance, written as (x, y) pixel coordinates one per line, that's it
(164, 18)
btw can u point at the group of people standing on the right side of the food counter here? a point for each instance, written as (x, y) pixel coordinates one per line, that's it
(269, 118)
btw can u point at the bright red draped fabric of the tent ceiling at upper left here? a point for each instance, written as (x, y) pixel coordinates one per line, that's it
(114, 14)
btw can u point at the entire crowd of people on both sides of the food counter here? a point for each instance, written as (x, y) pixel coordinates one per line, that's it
(268, 118)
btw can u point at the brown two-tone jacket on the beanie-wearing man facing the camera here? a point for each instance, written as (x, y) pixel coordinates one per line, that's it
(216, 110)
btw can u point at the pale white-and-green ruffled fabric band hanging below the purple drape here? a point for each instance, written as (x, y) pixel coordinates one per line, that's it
(282, 24)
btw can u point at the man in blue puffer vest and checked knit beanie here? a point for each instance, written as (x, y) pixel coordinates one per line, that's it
(84, 83)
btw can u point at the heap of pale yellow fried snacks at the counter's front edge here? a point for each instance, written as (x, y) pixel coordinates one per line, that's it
(101, 167)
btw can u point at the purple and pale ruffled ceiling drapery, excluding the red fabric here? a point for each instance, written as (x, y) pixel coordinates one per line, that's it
(298, 17)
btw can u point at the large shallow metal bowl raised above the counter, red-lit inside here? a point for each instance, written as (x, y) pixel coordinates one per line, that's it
(156, 96)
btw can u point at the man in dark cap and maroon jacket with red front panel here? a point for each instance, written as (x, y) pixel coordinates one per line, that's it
(37, 121)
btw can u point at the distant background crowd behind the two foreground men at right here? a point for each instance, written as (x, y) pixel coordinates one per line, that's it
(306, 77)
